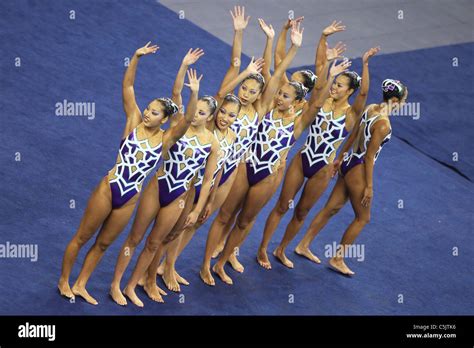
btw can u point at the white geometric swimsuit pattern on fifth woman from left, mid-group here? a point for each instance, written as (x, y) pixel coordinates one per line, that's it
(272, 138)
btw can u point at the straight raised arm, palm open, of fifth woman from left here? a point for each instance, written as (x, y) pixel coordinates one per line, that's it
(270, 89)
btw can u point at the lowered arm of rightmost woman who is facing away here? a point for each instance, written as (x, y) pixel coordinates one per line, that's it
(380, 130)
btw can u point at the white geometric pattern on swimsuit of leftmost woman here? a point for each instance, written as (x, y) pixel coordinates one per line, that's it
(137, 159)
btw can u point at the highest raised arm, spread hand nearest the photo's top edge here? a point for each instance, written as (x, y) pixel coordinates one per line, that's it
(240, 23)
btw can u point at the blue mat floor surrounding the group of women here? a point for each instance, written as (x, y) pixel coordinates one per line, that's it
(408, 251)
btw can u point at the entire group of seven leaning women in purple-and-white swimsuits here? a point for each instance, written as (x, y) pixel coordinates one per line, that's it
(228, 153)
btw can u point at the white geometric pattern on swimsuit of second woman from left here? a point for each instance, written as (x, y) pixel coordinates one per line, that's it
(186, 157)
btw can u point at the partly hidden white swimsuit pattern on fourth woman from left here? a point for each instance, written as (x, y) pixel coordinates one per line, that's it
(245, 129)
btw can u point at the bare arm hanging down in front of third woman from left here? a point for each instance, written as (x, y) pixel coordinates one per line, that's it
(211, 165)
